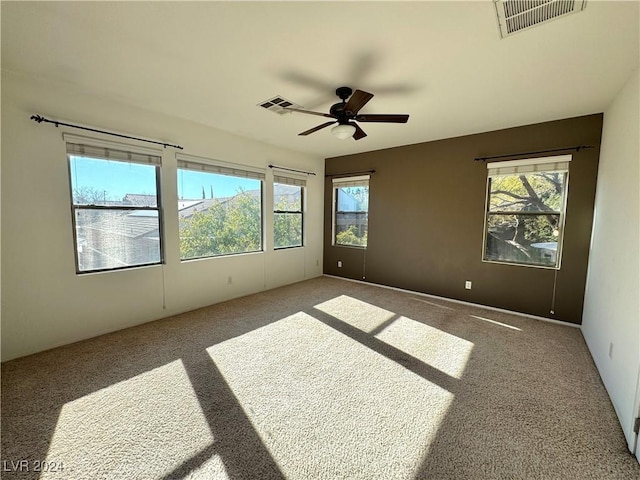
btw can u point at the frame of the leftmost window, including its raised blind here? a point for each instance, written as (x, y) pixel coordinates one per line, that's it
(113, 147)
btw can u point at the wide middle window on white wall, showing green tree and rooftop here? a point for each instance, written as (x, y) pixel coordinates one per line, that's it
(219, 209)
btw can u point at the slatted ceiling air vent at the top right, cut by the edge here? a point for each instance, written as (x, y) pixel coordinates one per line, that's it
(517, 15)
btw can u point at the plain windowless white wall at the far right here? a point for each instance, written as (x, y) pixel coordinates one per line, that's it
(612, 307)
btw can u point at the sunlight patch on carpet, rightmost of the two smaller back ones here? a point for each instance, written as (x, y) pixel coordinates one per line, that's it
(441, 350)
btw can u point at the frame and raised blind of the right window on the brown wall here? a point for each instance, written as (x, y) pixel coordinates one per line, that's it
(553, 164)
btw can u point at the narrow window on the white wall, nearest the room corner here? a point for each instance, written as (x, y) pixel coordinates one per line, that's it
(287, 212)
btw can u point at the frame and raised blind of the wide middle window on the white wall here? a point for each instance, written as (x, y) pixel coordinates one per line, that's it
(218, 167)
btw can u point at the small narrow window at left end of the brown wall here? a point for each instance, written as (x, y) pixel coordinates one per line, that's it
(351, 211)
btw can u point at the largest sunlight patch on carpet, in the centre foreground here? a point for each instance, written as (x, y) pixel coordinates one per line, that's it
(326, 406)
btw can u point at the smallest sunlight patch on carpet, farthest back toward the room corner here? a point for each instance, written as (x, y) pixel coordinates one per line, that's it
(356, 313)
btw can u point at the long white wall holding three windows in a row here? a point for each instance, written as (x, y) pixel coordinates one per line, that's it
(44, 303)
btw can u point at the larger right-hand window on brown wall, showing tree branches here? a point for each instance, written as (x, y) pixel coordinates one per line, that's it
(525, 211)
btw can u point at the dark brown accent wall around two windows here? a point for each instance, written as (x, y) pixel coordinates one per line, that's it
(426, 219)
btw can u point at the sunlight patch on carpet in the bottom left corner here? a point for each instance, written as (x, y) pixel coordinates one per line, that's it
(143, 427)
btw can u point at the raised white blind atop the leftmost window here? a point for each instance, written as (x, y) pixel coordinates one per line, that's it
(94, 148)
